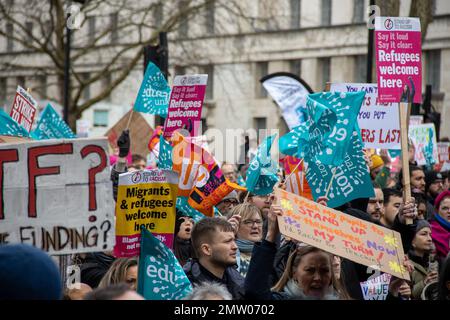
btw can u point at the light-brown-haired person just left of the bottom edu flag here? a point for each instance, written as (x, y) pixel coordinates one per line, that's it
(123, 270)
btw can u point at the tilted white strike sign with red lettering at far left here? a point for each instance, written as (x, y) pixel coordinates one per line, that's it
(24, 108)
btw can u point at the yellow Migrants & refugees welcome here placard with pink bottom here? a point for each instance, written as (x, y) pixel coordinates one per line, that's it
(145, 198)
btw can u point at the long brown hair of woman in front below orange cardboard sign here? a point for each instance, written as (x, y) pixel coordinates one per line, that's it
(294, 261)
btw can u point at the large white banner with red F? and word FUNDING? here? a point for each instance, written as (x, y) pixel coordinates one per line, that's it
(57, 195)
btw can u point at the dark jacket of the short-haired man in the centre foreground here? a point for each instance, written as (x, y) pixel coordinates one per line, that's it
(232, 279)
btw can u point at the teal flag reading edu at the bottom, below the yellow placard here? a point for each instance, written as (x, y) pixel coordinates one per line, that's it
(160, 276)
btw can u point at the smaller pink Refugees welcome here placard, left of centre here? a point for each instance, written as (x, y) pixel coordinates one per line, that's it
(186, 102)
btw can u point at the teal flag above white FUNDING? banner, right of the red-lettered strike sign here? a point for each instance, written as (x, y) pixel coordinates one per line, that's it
(52, 126)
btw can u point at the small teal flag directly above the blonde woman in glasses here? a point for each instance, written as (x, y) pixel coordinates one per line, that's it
(262, 172)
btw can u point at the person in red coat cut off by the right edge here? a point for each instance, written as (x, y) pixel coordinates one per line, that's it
(440, 226)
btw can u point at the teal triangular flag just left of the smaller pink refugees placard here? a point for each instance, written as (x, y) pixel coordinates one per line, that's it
(154, 93)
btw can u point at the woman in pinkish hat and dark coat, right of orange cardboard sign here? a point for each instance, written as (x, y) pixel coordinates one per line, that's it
(418, 254)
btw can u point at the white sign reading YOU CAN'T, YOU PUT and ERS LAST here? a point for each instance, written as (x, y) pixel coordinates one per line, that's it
(379, 123)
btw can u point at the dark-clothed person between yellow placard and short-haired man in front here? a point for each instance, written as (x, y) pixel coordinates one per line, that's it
(182, 246)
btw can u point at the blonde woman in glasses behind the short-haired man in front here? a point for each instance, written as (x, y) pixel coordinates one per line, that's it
(247, 222)
